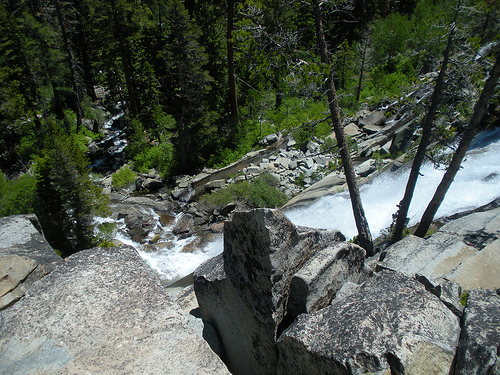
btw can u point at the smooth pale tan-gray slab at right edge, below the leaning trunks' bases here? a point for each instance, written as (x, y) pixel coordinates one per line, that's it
(465, 251)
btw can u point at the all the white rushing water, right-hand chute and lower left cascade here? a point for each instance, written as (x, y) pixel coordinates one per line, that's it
(476, 184)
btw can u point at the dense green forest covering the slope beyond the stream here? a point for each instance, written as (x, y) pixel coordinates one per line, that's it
(200, 82)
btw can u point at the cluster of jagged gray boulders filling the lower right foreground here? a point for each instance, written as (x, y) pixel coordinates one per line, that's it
(282, 309)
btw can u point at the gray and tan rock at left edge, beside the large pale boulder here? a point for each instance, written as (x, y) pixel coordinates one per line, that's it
(25, 257)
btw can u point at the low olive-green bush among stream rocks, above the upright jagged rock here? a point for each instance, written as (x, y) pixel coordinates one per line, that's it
(263, 191)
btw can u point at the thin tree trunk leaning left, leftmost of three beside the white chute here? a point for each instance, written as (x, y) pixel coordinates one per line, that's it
(364, 236)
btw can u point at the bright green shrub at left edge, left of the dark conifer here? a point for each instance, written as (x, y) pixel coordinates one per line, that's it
(17, 196)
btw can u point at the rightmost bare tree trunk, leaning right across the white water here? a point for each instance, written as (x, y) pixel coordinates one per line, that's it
(468, 136)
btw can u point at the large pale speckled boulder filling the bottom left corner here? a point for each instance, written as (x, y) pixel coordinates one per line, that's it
(102, 311)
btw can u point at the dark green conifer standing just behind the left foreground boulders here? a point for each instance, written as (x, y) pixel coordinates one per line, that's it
(66, 199)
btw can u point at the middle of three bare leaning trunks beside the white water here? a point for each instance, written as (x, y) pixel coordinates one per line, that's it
(404, 205)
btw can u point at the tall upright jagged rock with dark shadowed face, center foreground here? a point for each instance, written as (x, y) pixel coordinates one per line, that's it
(244, 292)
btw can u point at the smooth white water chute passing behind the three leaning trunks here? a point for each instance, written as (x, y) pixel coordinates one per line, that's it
(476, 184)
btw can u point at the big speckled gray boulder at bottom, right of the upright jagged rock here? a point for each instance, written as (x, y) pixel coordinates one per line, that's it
(391, 324)
